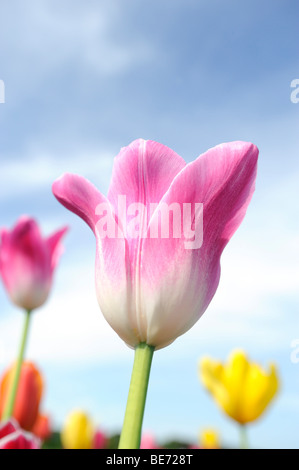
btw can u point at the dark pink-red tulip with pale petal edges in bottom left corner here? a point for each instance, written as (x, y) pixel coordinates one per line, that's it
(13, 437)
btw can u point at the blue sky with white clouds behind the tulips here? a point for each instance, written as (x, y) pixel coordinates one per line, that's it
(82, 80)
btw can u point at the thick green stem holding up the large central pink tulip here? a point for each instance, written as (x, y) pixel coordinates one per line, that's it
(131, 431)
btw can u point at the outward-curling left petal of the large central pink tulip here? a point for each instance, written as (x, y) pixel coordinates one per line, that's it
(112, 273)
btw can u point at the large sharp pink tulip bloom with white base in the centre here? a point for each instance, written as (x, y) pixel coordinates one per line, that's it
(153, 288)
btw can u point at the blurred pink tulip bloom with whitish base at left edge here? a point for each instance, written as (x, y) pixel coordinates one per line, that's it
(28, 261)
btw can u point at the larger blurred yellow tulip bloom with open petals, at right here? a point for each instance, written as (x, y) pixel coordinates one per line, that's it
(242, 389)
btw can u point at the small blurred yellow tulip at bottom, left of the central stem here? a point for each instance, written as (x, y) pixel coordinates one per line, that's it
(78, 431)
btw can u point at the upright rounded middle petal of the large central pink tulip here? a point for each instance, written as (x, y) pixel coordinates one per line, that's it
(142, 173)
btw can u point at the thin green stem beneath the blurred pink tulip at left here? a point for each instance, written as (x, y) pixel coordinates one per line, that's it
(9, 406)
